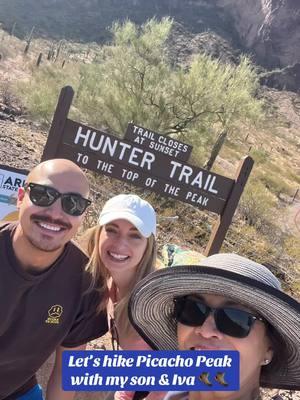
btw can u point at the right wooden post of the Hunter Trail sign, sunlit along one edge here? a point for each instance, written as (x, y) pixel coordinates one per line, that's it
(220, 229)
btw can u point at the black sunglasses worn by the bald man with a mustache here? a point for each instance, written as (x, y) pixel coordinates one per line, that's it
(44, 196)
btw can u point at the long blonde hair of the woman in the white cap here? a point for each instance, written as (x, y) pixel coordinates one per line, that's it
(100, 276)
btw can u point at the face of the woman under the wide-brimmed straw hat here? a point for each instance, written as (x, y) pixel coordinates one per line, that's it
(254, 349)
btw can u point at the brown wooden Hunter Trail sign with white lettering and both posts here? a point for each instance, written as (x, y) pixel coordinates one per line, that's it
(150, 160)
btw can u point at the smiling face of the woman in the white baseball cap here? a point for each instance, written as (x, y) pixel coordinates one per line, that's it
(121, 246)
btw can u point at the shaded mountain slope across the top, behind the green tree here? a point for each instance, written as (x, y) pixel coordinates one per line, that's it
(270, 29)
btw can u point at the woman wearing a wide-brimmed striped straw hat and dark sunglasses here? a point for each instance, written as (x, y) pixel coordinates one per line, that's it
(226, 303)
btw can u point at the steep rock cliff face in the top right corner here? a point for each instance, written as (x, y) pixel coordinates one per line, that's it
(269, 28)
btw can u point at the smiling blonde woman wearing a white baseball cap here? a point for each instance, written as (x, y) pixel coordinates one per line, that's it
(122, 250)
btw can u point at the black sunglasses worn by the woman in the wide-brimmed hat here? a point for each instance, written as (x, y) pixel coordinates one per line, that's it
(192, 311)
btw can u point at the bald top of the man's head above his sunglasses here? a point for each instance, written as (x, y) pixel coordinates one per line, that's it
(60, 170)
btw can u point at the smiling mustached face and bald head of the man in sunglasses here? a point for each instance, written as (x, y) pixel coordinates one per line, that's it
(48, 229)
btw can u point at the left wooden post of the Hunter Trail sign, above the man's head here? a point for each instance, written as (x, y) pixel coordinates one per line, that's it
(58, 123)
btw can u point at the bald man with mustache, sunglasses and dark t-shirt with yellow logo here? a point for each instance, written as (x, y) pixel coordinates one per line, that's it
(46, 301)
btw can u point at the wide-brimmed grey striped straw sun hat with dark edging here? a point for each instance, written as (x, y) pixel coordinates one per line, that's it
(231, 276)
